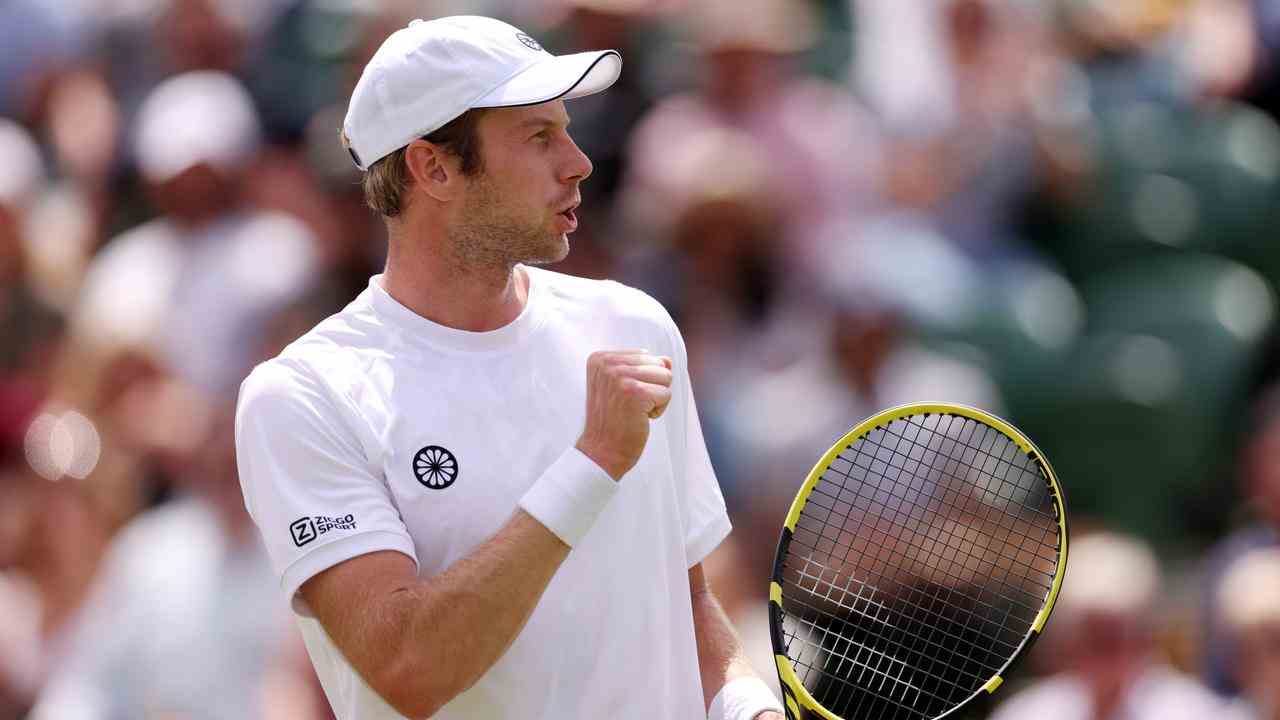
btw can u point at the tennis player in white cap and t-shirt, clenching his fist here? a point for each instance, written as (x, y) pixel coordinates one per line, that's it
(467, 528)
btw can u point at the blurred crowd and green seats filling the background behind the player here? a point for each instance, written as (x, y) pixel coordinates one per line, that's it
(1059, 211)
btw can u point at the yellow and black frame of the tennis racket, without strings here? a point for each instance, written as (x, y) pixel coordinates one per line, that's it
(794, 691)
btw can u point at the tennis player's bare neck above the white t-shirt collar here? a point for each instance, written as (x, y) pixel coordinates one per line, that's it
(467, 299)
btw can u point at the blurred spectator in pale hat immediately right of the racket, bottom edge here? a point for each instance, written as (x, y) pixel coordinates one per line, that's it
(1103, 645)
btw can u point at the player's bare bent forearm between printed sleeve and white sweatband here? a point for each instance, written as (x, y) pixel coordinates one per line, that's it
(455, 626)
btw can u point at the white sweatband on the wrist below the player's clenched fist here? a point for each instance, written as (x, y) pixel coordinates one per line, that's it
(570, 495)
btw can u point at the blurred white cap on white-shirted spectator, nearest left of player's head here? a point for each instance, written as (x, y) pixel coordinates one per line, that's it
(199, 117)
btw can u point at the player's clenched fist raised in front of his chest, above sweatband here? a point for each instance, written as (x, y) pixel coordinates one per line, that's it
(625, 390)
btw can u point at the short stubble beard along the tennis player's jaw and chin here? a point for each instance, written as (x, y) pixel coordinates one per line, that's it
(492, 239)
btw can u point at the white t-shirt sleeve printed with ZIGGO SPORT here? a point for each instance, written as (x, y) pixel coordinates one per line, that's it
(307, 479)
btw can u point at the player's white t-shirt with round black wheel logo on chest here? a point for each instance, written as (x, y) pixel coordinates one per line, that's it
(330, 435)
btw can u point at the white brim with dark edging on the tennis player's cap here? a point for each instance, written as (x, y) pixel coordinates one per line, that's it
(557, 79)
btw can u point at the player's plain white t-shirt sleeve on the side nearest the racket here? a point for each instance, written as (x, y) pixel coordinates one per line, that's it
(706, 520)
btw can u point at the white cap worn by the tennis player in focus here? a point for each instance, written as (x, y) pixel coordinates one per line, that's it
(432, 72)
